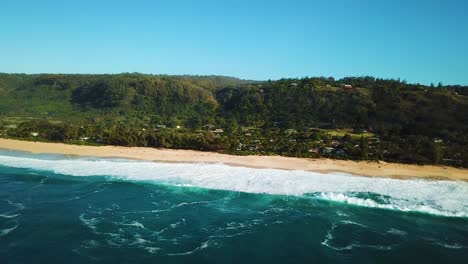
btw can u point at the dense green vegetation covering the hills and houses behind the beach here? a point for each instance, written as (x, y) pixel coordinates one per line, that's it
(351, 118)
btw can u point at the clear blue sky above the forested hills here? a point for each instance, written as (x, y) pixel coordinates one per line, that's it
(417, 40)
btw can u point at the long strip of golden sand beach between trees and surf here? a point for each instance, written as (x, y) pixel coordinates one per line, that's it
(361, 168)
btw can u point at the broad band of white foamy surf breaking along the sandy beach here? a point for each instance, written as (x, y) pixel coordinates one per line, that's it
(444, 198)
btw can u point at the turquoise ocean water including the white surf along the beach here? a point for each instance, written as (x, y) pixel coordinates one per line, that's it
(56, 209)
